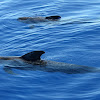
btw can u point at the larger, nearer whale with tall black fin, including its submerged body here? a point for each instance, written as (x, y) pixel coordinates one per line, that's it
(32, 61)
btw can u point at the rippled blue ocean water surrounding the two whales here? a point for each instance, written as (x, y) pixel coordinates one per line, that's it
(74, 39)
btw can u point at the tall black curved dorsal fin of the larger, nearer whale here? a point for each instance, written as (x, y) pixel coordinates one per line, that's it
(33, 56)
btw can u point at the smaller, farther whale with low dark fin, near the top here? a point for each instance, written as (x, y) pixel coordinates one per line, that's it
(39, 19)
